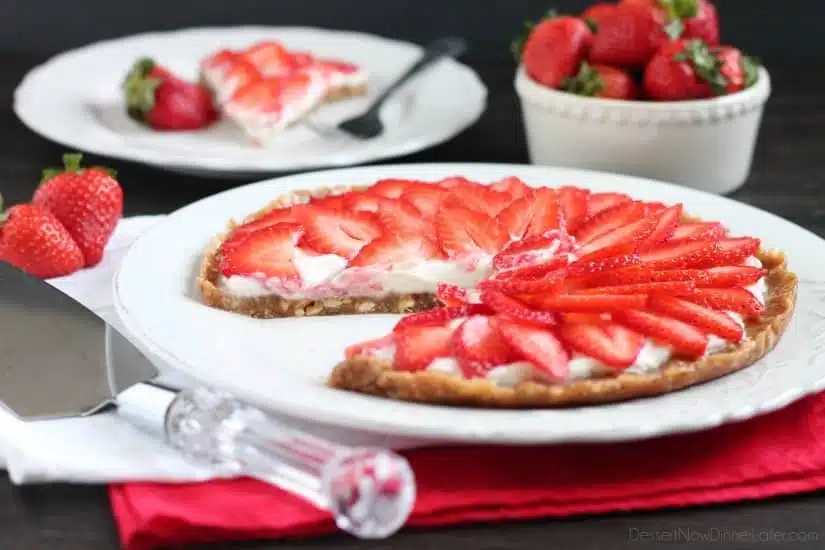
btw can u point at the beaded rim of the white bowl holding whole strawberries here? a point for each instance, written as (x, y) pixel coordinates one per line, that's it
(529, 89)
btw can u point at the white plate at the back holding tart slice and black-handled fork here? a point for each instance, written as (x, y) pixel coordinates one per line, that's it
(75, 99)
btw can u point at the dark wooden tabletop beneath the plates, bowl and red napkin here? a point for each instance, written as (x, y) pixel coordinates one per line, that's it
(788, 180)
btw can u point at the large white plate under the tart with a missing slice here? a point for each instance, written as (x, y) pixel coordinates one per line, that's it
(282, 364)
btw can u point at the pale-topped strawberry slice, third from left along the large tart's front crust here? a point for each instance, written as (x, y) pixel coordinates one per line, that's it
(479, 346)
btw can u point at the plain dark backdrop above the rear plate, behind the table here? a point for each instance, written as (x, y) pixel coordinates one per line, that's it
(784, 32)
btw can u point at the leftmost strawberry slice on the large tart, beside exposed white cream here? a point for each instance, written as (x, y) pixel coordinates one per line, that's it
(268, 251)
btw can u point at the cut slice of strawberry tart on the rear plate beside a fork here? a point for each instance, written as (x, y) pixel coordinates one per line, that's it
(267, 88)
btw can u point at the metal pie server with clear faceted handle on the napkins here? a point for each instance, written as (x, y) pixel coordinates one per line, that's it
(52, 351)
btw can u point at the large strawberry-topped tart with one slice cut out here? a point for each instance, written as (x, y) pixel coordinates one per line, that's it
(518, 296)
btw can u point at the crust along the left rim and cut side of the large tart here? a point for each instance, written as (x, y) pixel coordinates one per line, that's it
(272, 306)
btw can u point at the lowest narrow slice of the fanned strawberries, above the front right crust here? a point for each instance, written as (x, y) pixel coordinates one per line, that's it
(685, 340)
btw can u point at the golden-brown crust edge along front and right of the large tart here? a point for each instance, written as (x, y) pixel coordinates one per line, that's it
(376, 377)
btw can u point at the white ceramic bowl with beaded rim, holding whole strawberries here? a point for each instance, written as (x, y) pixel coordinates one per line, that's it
(705, 144)
